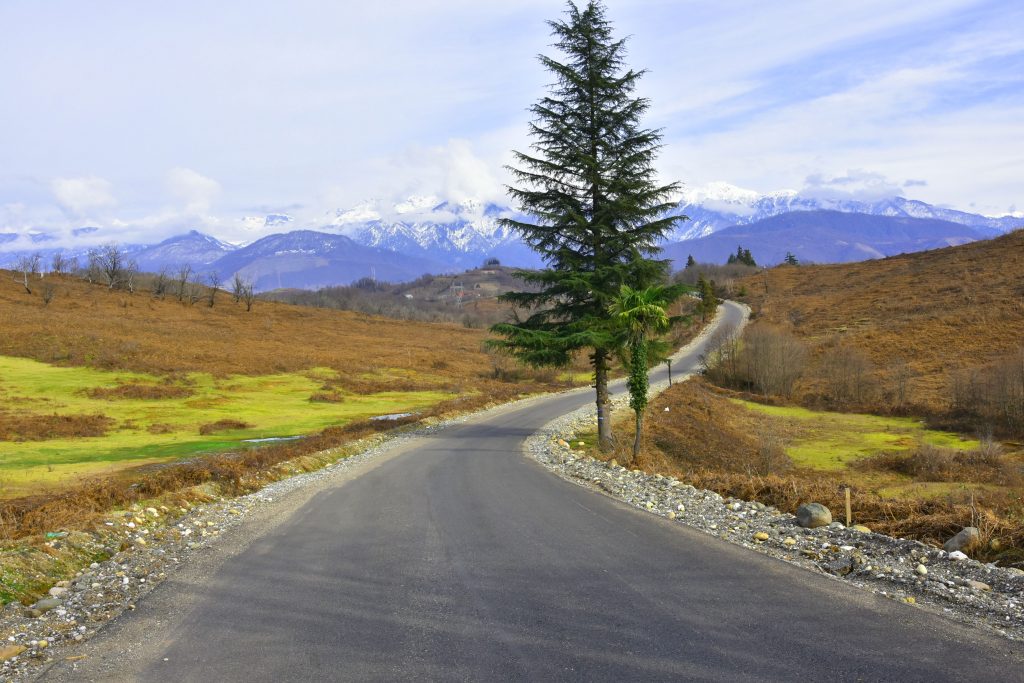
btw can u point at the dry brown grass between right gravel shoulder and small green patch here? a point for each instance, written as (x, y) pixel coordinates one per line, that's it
(713, 444)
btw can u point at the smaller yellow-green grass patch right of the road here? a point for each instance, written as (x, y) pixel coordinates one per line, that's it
(833, 441)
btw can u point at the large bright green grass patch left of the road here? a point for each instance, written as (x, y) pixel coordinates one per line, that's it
(147, 431)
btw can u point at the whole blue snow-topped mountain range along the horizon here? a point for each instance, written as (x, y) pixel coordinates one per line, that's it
(401, 242)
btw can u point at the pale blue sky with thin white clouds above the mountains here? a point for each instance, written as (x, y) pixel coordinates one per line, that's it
(151, 119)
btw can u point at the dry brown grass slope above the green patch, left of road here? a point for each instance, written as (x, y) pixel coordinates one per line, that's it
(94, 326)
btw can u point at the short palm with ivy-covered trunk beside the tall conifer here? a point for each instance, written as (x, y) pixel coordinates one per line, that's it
(642, 314)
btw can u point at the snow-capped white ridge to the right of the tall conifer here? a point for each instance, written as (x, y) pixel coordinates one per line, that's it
(720, 205)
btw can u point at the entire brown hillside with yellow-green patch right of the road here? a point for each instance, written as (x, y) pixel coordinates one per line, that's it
(902, 378)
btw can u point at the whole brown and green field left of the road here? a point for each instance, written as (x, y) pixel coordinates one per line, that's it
(97, 380)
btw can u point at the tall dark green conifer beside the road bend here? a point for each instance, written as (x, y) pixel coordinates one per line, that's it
(595, 212)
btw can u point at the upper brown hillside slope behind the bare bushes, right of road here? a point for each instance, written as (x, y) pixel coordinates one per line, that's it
(925, 315)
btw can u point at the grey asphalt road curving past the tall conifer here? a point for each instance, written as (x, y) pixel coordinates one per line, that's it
(461, 560)
